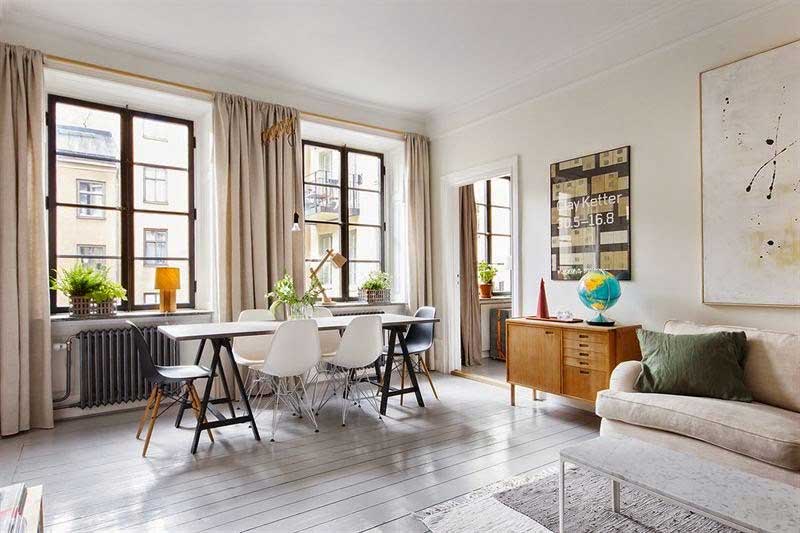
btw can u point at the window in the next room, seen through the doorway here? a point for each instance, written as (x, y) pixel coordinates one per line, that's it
(493, 206)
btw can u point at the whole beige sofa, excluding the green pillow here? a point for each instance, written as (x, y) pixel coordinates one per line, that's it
(762, 437)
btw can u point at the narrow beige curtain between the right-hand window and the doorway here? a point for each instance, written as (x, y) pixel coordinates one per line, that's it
(420, 257)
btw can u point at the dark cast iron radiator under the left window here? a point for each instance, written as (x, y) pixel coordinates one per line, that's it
(109, 365)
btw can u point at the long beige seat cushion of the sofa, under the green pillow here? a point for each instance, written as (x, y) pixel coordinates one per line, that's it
(757, 430)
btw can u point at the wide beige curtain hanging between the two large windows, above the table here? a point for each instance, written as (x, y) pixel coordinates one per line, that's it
(258, 163)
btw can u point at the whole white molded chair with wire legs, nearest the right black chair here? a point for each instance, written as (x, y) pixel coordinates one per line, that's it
(361, 345)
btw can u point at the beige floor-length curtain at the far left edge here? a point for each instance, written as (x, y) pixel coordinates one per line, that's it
(25, 389)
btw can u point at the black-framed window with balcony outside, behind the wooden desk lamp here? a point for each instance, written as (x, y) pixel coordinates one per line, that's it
(343, 191)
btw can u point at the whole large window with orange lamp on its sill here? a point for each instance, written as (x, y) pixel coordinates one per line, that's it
(135, 171)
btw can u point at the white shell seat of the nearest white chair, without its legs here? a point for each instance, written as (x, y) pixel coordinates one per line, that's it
(294, 350)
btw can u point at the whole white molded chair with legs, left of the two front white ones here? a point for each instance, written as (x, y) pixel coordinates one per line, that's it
(293, 353)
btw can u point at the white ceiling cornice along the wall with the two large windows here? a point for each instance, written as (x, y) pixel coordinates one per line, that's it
(249, 75)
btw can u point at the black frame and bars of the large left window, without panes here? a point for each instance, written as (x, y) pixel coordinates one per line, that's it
(126, 208)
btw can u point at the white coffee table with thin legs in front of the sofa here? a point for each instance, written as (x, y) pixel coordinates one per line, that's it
(731, 497)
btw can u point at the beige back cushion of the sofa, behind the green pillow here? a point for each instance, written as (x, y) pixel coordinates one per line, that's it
(772, 367)
